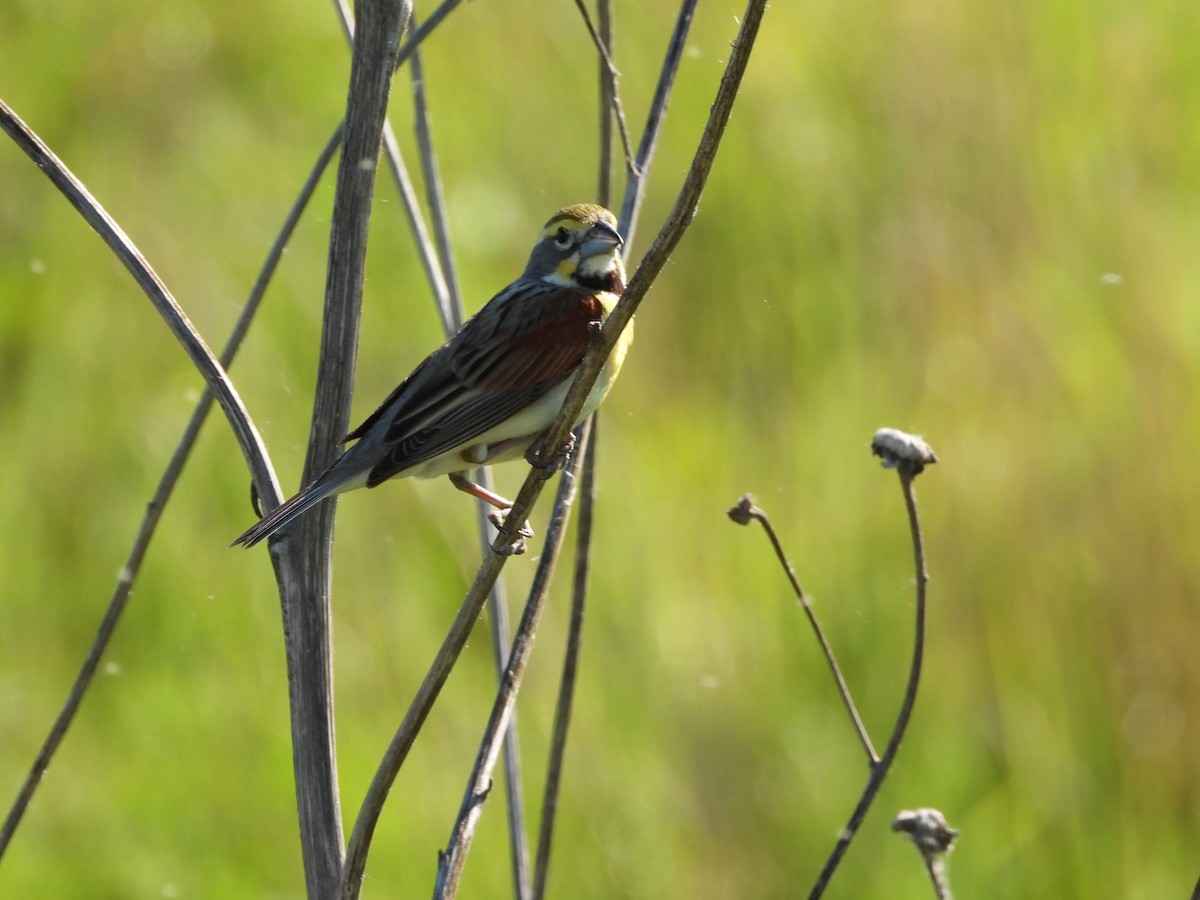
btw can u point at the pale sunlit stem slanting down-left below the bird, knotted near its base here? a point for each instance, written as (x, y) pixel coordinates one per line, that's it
(453, 860)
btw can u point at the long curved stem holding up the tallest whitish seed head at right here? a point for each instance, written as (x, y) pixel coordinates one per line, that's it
(908, 471)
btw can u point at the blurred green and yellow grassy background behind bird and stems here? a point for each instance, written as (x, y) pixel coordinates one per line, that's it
(974, 221)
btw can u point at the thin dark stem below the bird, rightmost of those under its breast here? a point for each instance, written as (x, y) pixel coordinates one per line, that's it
(571, 665)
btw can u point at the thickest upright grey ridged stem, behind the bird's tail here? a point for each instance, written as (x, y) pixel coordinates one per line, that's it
(303, 560)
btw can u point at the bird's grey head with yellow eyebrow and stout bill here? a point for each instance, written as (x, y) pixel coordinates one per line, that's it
(580, 248)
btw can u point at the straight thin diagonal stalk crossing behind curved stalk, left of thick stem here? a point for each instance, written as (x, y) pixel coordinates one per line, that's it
(155, 508)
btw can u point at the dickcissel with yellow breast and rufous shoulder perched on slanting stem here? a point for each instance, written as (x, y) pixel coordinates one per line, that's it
(490, 392)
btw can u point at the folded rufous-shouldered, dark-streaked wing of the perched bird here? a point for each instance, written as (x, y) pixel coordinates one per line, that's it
(520, 346)
